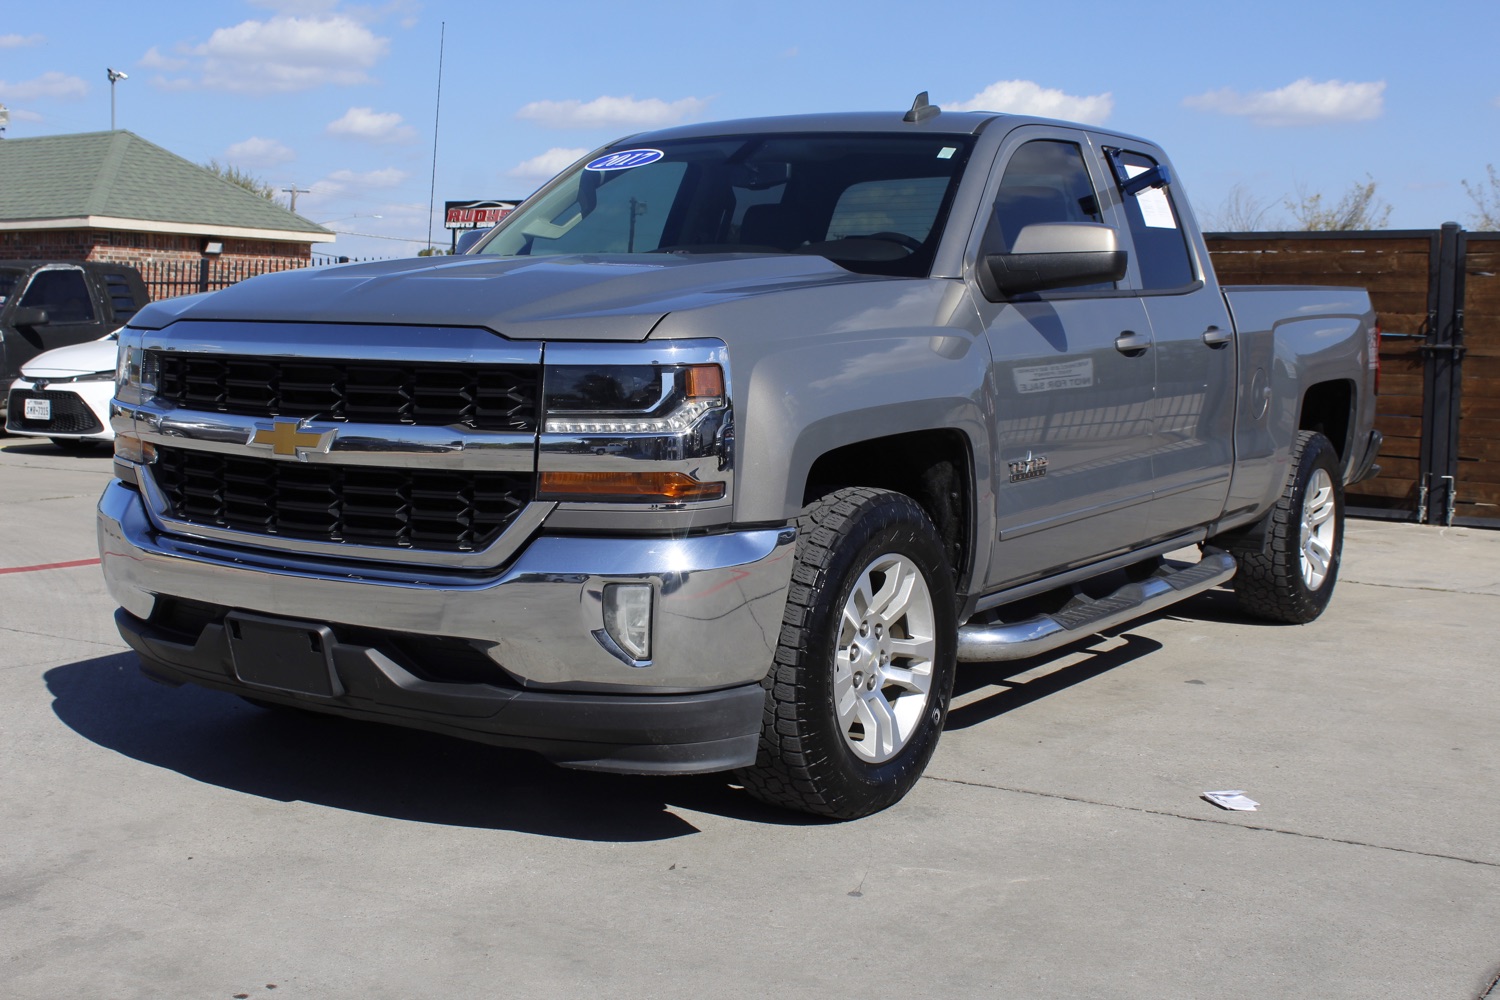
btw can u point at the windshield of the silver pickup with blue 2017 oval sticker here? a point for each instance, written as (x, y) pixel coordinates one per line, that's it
(869, 203)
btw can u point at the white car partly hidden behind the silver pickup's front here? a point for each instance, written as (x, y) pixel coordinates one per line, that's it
(65, 395)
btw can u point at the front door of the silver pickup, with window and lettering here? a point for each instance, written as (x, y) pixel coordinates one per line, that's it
(1072, 377)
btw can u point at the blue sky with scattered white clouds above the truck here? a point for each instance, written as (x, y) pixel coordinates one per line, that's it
(1265, 101)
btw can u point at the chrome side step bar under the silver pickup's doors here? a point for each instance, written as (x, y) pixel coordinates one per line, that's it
(1084, 617)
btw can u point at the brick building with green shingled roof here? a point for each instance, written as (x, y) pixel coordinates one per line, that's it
(115, 197)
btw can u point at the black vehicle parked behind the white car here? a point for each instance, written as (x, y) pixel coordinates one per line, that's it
(49, 305)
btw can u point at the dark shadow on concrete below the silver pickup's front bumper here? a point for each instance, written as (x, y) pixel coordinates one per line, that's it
(379, 770)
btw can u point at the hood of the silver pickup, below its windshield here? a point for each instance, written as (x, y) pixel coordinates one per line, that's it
(595, 298)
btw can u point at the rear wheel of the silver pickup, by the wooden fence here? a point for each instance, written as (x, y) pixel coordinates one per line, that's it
(1291, 575)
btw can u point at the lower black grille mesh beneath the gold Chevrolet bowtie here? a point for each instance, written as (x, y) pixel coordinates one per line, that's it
(395, 509)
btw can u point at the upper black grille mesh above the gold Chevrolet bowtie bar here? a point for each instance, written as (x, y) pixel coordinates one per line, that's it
(476, 397)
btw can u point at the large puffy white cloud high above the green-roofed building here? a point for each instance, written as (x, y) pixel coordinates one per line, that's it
(284, 55)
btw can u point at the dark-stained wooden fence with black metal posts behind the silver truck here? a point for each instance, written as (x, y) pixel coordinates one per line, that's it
(1439, 304)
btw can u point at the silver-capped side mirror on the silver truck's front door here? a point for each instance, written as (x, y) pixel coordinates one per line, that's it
(1055, 256)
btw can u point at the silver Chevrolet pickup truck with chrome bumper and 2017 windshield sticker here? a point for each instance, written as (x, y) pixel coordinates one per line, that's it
(730, 445)
